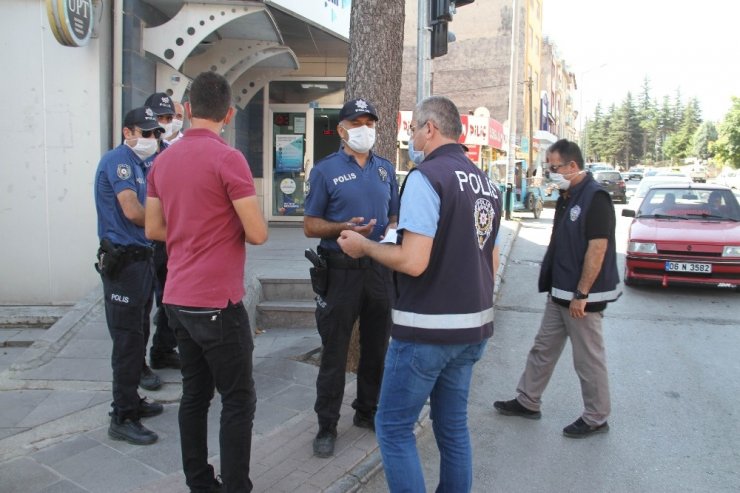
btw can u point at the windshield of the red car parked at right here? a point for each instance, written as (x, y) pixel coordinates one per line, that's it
(690, 203)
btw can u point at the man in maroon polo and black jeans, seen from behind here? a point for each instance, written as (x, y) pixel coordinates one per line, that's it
(201, 200)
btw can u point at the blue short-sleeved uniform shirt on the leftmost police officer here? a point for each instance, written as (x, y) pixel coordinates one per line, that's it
(119, 169)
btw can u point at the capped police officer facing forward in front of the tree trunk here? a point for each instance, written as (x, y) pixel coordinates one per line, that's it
(351, 189)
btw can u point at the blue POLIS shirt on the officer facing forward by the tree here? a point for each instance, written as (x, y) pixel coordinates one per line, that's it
(339, 189)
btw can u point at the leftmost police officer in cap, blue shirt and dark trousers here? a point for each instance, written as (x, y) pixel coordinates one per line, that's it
(126, 269)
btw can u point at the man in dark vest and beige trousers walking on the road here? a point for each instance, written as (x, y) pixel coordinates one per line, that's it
(580, 274)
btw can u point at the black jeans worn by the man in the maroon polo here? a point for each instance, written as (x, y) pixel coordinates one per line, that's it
(216, 352)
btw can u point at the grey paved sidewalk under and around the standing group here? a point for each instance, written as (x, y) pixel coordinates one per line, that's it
(55, 398)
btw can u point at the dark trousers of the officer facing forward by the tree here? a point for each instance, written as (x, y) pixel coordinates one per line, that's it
(352, 293)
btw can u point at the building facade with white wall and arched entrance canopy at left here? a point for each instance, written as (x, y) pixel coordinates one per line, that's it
(75, 68)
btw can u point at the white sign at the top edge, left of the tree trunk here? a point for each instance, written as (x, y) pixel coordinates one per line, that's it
(330, 15)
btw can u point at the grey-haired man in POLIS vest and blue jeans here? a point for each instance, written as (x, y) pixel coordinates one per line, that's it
(445, 260)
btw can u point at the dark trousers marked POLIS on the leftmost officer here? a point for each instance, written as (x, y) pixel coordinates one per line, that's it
(128, 301)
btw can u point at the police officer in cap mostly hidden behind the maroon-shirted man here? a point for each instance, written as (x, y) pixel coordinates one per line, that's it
(162, 353)
